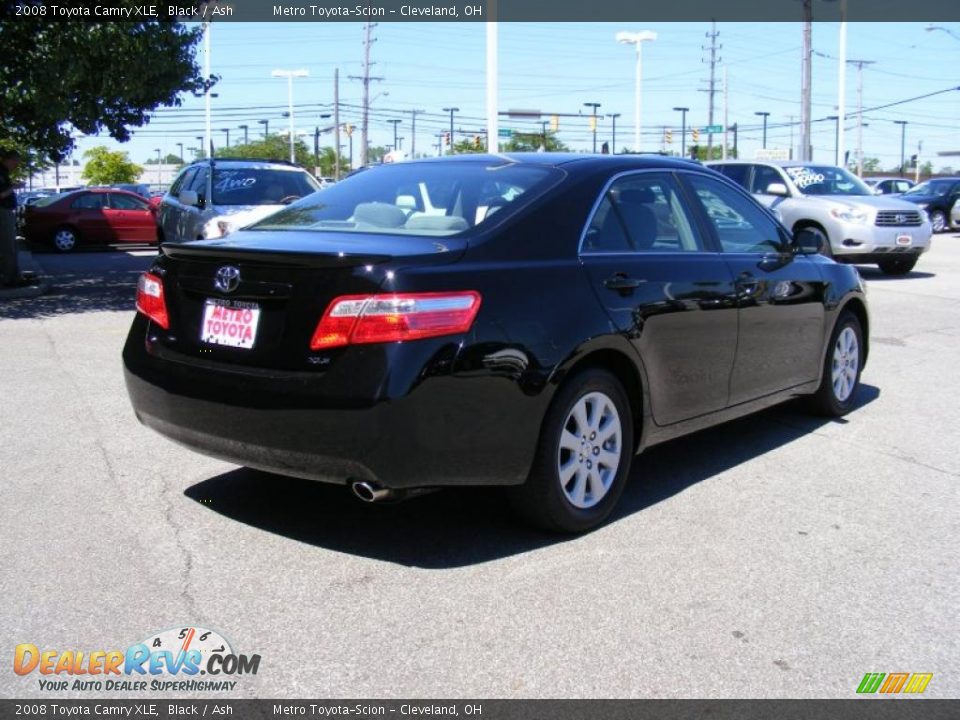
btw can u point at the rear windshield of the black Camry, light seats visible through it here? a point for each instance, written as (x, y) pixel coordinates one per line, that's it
(423, 198)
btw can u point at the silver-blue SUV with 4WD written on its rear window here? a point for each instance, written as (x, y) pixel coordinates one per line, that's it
(210, 200)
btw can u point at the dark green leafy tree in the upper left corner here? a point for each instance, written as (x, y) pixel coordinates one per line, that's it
(95, 77)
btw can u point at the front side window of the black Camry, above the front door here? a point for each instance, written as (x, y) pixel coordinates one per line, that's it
(741, 225)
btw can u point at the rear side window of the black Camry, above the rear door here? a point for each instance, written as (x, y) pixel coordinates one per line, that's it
(641, 213)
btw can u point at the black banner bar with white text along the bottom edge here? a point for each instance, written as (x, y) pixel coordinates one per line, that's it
(873, 708)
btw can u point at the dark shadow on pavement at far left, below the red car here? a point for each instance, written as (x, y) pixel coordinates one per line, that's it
(89, 281)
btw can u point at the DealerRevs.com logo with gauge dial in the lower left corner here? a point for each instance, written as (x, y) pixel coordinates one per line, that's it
(172, 660)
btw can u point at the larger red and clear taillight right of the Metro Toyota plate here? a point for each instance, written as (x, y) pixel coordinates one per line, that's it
(361, 319)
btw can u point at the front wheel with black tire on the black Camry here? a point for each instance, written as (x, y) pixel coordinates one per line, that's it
(840, 380)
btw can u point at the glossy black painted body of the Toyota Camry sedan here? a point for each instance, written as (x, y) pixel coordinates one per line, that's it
(467, 410)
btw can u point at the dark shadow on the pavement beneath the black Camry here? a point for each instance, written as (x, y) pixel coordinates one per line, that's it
(465, 526)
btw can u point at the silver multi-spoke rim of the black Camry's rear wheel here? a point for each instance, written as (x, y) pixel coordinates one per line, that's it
(591, 445)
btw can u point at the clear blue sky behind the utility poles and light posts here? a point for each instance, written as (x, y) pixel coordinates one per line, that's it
(556, 67)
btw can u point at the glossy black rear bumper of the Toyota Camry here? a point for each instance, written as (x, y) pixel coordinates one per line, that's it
(444, 430)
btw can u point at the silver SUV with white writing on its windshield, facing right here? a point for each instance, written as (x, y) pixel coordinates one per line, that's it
(856, 225)
